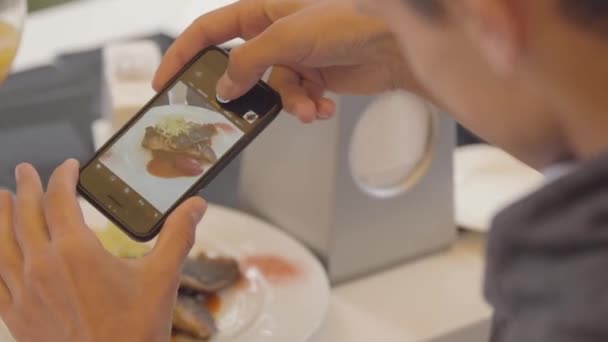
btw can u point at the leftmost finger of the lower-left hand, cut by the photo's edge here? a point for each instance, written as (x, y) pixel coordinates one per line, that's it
(11, 261)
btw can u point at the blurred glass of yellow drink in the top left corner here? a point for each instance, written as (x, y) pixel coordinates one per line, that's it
(12, 17)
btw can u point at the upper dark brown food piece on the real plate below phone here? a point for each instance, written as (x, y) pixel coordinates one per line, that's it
(208, 275)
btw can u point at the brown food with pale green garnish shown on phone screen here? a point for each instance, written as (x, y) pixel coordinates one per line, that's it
(180, 148)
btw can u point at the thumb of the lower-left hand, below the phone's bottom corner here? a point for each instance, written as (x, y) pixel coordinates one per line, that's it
(178, 234)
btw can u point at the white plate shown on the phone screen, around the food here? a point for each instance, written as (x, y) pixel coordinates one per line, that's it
(128, 159)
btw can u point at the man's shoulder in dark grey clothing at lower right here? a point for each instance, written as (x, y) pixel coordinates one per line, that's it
(547, 257)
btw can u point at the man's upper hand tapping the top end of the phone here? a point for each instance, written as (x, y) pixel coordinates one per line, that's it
(315, 46)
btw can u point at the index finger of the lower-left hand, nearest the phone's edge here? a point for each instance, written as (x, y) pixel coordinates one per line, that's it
(61, 208)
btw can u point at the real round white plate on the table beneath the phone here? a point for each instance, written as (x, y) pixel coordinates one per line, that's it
(265, 310)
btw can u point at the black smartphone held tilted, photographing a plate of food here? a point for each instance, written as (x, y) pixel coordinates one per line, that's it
(174, 146)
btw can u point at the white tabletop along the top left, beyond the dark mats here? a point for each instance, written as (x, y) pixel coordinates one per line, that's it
(89, 23)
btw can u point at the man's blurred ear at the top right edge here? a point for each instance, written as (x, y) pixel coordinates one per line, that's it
(496, 28)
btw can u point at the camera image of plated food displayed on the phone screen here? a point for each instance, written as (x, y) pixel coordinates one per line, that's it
(165, 152)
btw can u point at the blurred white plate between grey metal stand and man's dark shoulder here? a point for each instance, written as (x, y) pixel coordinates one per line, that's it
(487, 180)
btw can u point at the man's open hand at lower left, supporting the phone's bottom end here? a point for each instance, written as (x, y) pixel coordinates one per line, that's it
(57, 283)
